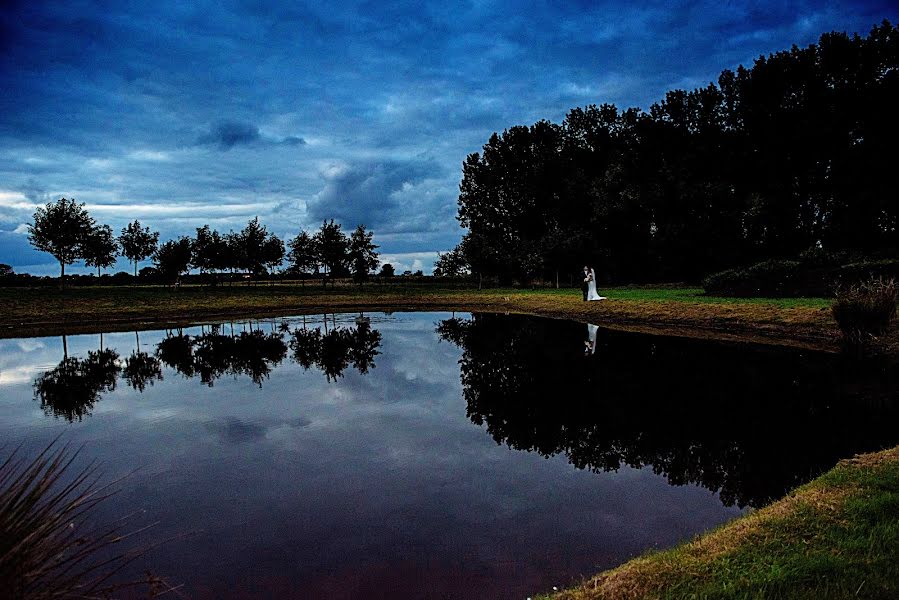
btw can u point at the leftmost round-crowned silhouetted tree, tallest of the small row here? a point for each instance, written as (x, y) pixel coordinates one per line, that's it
(61, 228)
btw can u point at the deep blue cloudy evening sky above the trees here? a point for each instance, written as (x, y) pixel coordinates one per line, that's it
(181, 114)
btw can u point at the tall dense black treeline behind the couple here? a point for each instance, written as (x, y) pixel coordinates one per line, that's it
(795, 153)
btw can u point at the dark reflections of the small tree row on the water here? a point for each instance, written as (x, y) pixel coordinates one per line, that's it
(75, 385)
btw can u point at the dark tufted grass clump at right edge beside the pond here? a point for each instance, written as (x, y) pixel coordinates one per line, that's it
(865, 310)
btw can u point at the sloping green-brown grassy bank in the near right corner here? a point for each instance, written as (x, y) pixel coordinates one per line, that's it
(836, 537)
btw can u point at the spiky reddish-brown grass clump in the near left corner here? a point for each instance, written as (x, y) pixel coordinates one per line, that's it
(48, 547)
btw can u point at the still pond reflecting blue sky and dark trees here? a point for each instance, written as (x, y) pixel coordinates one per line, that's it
(431, 455)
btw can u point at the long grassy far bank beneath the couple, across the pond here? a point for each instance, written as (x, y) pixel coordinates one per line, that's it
(675, 311)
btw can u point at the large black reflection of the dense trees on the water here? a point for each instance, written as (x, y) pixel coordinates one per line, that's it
(748, 423)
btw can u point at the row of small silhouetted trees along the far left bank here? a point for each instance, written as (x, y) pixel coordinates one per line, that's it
(66, 230)
